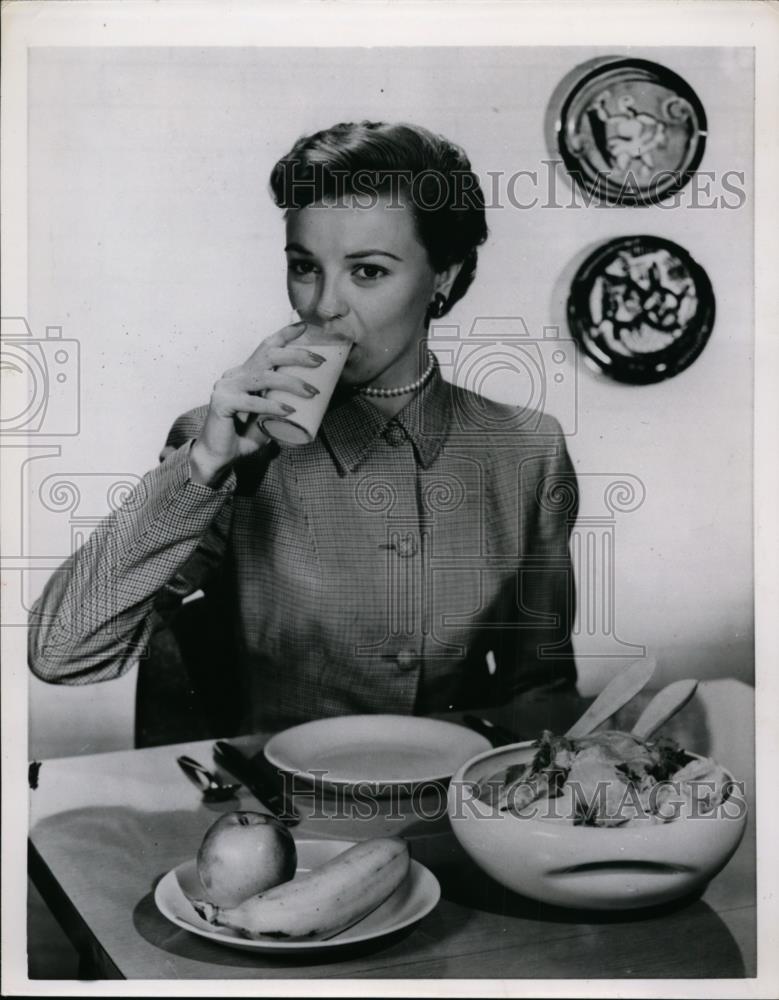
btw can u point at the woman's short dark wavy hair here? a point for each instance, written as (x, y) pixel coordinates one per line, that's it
(366, 159)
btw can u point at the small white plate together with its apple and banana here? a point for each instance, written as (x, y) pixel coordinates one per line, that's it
(253, 886)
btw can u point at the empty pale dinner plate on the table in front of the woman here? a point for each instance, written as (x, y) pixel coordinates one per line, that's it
(380, 751)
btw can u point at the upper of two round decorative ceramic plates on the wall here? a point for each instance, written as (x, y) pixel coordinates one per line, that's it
(630, 131)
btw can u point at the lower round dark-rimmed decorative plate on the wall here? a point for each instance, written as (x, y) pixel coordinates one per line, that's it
(641, 308)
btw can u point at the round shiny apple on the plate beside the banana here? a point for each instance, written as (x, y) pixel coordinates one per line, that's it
(244, 853)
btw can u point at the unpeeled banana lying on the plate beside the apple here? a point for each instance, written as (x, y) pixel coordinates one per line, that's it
(320, 903)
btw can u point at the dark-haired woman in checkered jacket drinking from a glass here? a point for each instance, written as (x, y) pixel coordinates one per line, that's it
(413, 558)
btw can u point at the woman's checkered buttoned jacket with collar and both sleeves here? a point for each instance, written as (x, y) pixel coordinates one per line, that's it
(411, 565)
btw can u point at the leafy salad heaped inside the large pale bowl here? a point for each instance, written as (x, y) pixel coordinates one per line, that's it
(609, 778)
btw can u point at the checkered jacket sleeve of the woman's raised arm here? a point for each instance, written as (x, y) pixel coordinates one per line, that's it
(95, 613)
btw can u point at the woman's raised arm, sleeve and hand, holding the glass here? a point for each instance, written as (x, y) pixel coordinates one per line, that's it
(94, 615)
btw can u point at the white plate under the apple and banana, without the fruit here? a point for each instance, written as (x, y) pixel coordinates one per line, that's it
(415, 897)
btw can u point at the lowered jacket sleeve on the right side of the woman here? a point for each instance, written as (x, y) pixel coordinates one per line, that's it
(539, 649)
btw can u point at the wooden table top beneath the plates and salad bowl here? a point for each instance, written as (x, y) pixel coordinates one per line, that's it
(105, 828)
